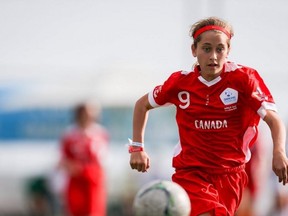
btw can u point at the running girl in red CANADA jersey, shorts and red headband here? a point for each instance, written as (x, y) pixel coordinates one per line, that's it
(219, 104)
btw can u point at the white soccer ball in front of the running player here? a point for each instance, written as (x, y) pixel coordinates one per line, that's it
(161, 198)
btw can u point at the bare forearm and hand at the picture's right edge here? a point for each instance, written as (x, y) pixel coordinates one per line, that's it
(278, 132)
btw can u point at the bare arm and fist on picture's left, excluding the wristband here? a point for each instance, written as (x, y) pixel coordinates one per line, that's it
(140, 160)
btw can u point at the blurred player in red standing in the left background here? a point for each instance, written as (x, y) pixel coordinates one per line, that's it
(83, 146)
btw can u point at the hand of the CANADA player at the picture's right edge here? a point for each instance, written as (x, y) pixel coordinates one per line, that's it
(280, 167)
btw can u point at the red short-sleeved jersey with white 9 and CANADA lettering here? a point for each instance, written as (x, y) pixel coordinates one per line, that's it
(217, 120)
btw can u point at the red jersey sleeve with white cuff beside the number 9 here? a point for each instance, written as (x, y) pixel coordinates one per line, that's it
(162, 95)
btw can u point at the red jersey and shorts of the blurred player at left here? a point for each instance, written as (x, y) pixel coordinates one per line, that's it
(86, 191)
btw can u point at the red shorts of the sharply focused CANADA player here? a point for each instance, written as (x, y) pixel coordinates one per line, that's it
(213, 191)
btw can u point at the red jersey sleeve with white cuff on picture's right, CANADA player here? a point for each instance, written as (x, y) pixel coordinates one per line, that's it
(260, 97)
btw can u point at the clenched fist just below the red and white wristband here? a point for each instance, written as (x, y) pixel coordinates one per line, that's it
(139, 161)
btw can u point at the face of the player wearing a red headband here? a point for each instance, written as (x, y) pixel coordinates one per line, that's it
(211, 52)
